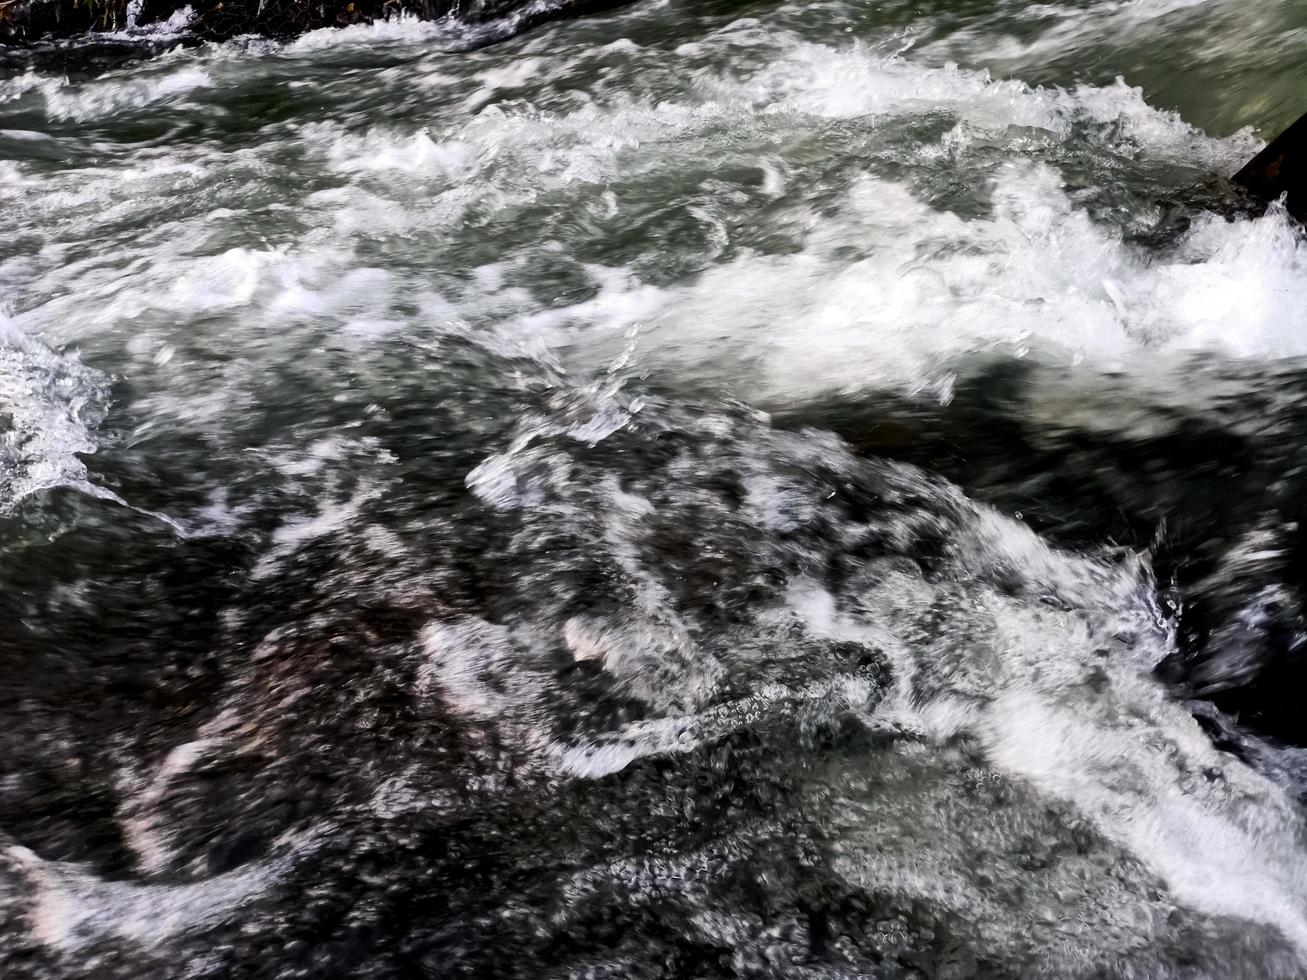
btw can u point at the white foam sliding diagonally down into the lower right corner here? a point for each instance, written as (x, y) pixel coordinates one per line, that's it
(1036, 685)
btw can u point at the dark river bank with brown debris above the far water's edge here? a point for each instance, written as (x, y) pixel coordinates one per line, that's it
(25, 22)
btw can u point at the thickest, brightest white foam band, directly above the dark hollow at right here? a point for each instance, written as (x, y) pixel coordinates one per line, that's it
(1038, 275)
